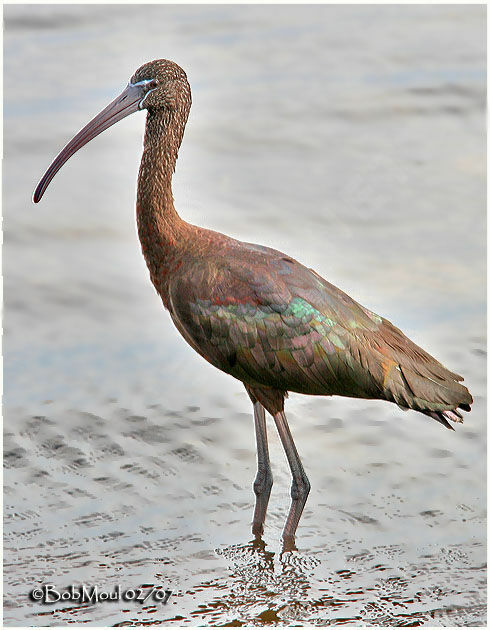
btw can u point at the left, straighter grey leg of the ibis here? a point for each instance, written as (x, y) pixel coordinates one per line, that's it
(263, 481)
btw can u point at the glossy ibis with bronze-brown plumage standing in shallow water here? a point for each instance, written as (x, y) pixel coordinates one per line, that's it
(254, 312)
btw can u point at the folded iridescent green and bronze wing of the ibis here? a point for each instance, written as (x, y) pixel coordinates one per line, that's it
(268, 320)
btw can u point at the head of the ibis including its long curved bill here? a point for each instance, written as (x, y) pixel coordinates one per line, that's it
(159, 86)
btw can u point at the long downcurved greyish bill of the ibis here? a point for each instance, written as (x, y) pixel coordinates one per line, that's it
(126, 103)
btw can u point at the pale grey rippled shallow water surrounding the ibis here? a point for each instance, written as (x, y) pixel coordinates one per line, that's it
(352, 138)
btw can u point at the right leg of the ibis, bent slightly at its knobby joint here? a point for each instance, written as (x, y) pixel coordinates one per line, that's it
(300, 486)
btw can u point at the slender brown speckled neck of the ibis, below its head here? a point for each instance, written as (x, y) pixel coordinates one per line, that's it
(163, 234)
